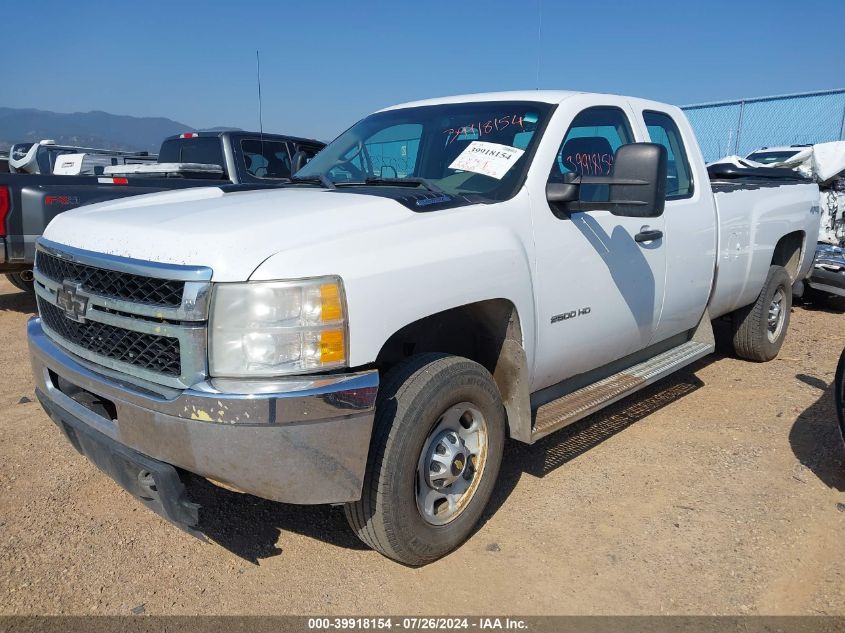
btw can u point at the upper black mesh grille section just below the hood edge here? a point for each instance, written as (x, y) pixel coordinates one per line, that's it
(112, 283)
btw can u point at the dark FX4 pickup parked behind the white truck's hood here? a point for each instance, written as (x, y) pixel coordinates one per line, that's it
(194, 159)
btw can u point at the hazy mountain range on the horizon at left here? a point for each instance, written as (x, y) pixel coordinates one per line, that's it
(87, 129)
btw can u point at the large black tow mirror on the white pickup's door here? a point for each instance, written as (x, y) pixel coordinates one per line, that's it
(636, 185)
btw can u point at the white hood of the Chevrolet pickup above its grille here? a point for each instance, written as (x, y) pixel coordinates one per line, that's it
(232, 233)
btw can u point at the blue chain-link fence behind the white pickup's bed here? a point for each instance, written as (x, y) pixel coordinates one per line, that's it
(739, 127)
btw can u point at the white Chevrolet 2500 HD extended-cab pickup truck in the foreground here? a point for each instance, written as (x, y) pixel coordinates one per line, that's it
(444, 274)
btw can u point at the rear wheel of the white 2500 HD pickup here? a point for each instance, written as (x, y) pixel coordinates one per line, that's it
(760, 328)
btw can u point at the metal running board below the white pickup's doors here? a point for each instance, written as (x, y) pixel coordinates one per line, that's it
(582, 402)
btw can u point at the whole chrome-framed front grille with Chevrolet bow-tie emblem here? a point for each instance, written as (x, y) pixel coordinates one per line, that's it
(145, 320)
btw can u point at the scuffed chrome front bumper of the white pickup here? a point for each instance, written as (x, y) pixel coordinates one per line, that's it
(305, 441)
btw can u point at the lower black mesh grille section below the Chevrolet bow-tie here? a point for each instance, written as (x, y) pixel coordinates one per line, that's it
(147, 351)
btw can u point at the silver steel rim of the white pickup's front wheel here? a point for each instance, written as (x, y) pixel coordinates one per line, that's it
(451, 464)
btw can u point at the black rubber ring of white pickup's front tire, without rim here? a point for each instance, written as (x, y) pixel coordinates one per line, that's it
(464, 382)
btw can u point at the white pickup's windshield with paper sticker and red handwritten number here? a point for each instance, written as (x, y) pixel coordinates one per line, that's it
(470, 149)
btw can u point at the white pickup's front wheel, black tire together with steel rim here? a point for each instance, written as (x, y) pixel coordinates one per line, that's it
(434, 458)
